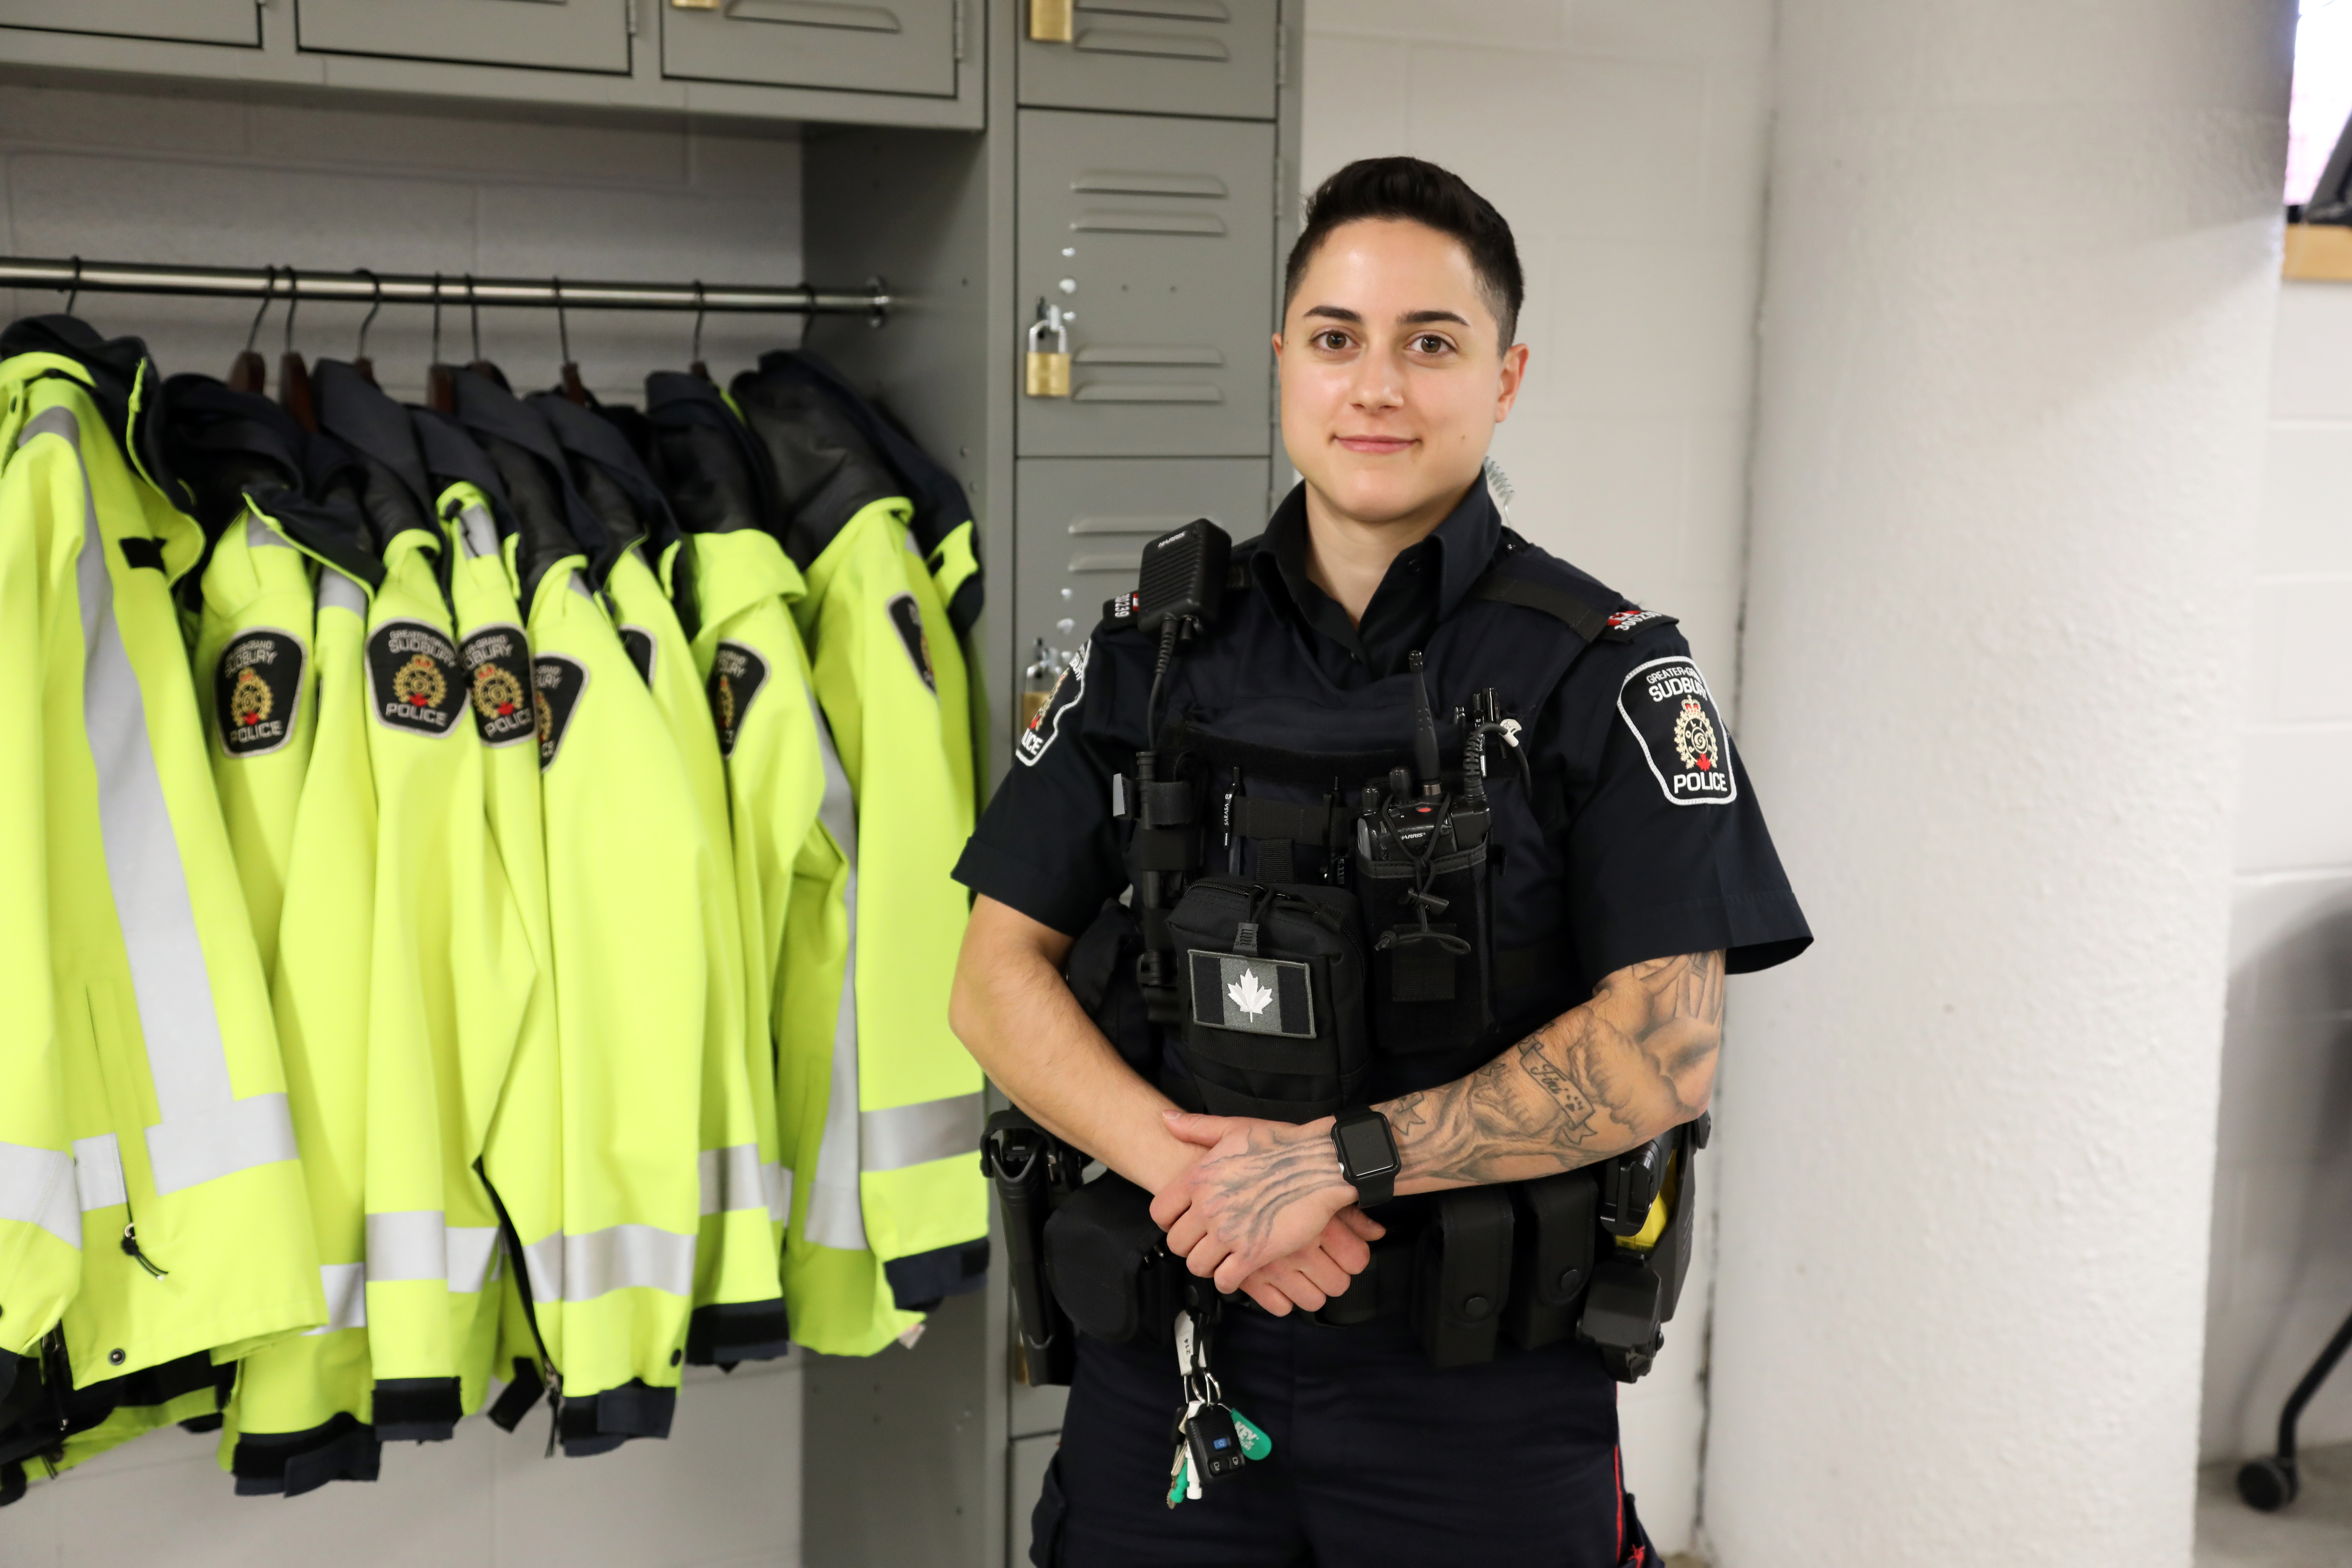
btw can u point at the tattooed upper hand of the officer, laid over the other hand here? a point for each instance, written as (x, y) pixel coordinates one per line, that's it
(1262, 1193)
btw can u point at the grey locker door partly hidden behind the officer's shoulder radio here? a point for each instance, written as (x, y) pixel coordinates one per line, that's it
(1081, 530)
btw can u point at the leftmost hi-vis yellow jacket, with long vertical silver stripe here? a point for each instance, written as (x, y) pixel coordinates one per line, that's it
(152, 1205)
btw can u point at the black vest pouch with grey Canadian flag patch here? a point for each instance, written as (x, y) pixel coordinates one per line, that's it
(1274, 998)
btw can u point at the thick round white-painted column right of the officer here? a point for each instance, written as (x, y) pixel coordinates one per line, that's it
(2019, 293)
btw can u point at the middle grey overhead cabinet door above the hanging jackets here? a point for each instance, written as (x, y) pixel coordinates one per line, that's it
(549, 34)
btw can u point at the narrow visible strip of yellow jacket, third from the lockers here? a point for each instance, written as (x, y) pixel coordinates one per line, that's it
(737, 1292)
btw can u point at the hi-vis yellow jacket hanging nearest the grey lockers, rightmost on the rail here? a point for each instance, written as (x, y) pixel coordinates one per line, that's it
(893, 1177)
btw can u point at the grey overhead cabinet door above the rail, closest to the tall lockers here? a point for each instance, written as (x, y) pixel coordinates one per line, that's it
(857, 46)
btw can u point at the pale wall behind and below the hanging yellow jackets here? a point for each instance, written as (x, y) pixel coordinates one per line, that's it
(203, 180)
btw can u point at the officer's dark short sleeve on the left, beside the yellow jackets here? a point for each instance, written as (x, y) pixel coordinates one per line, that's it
(1048, 843)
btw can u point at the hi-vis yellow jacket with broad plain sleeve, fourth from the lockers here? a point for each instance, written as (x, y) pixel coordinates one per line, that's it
(627, 897)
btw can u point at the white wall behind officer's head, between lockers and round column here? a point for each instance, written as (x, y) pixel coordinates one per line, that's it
(1624, 142)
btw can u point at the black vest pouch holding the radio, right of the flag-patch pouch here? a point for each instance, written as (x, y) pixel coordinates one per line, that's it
(1422, 871)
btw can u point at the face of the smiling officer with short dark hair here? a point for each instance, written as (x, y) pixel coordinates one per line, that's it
(1394, 373)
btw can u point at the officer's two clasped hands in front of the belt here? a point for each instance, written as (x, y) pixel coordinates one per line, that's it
(1267, 1209)
